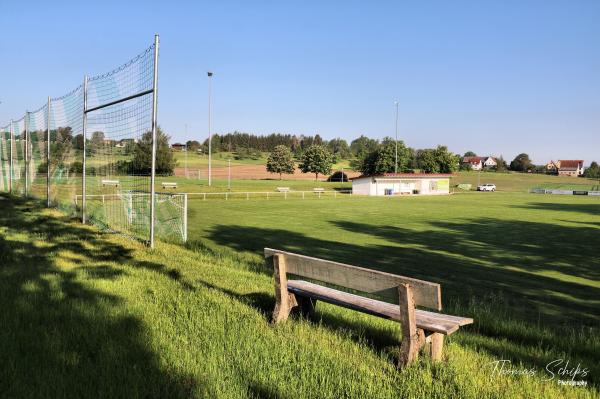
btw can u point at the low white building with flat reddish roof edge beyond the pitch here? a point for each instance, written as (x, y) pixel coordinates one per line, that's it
(402, 184)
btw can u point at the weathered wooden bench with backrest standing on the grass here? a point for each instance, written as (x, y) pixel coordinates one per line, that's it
(420, 328)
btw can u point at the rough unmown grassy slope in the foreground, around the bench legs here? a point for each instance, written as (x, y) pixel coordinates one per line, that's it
(87, 314)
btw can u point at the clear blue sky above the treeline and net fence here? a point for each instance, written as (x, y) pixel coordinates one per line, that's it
(493, 77)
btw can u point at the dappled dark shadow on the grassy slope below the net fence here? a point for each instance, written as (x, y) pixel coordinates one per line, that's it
(60, 337)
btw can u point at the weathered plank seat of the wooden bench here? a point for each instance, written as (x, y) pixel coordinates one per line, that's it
(428, 321)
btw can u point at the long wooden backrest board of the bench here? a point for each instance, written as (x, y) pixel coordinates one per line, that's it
(374, 282)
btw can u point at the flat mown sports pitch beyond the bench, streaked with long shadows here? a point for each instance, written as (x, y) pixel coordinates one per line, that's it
(538, 252)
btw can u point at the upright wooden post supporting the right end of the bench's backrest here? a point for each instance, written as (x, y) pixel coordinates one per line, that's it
(411, 338)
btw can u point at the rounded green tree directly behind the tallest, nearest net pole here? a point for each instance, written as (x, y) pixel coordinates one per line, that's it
(142, 154)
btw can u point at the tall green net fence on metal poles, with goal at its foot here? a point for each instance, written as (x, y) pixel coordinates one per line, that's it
(99, 139)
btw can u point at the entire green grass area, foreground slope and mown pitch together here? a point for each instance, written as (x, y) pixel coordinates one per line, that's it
(92, 314)
